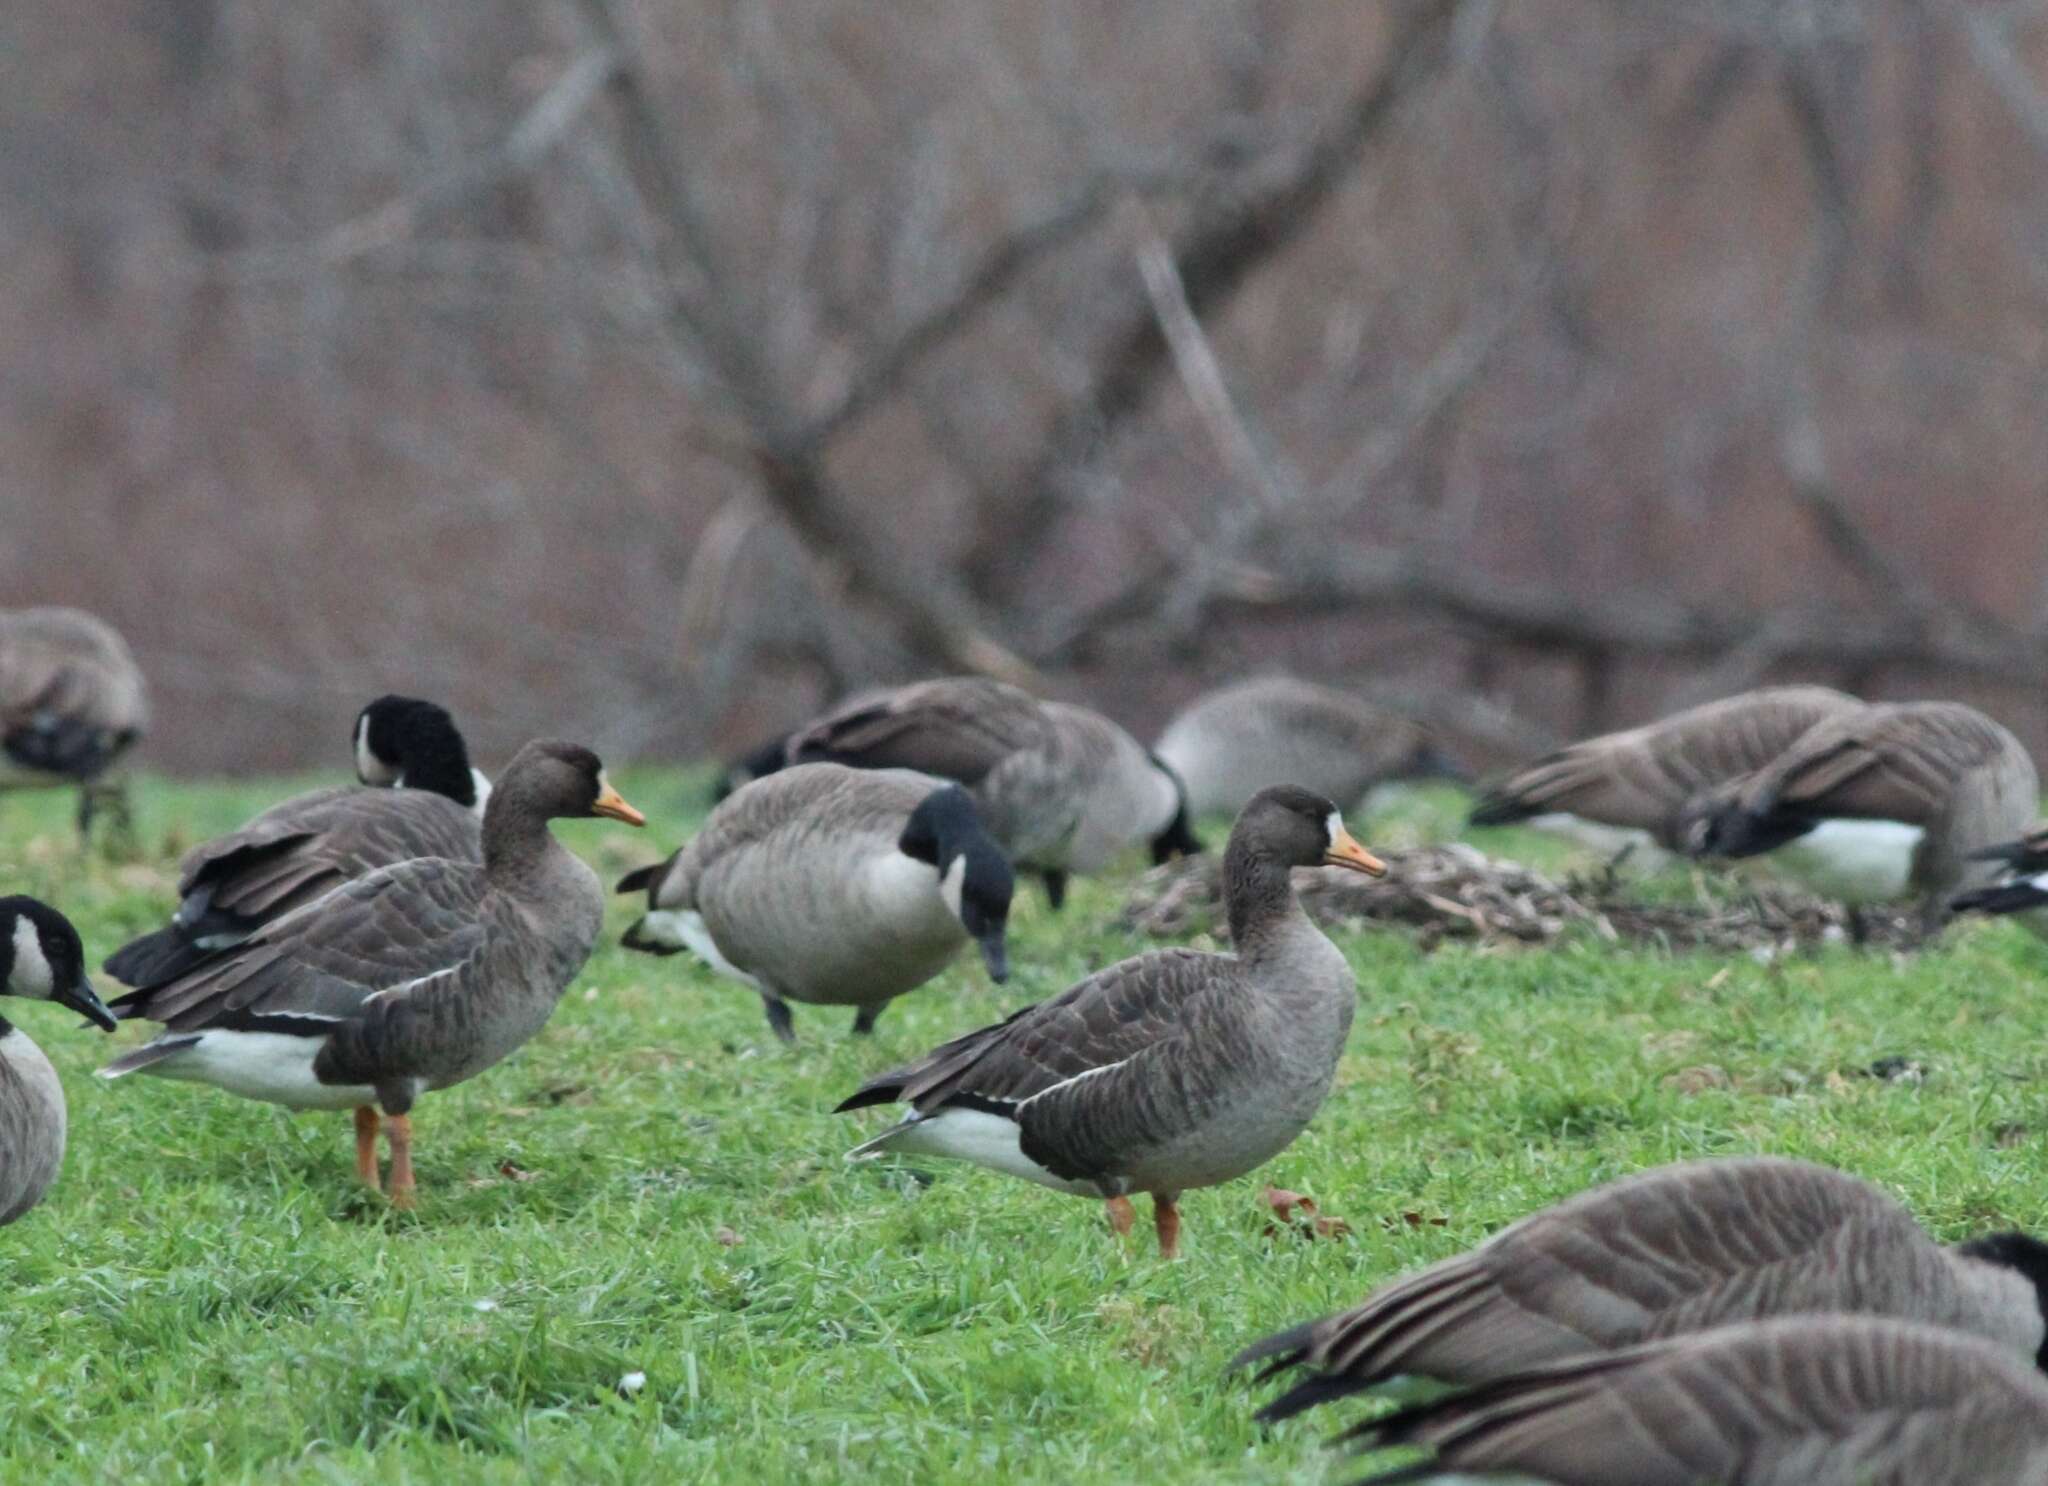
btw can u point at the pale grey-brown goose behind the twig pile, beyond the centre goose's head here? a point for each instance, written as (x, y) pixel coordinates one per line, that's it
(1277, 730)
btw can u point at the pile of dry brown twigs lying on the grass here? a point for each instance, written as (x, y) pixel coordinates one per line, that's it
(1457, 893)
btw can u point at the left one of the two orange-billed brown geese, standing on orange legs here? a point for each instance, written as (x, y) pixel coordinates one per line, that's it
(415, 977)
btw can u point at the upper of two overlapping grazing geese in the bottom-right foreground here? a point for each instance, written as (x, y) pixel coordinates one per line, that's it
(1668, 1252)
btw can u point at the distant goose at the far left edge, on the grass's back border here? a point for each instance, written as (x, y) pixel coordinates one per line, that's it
(73, 701)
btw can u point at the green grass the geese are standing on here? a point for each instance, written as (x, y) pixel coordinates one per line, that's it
(656, 1186)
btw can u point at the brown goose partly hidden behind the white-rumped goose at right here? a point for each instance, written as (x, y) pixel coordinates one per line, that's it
(1629, 791)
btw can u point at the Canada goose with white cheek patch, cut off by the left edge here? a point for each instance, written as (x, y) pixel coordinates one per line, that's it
(40, 961)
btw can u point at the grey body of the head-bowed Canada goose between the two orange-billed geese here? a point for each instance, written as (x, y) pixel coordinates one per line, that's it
(800, 883)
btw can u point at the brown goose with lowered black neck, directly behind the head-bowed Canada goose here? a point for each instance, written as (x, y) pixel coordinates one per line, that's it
(1062, 789)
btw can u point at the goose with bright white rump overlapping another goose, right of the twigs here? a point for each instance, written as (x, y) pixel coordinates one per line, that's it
(1879, 803)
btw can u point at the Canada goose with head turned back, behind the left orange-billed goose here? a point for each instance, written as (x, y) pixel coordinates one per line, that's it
(310, 844)
